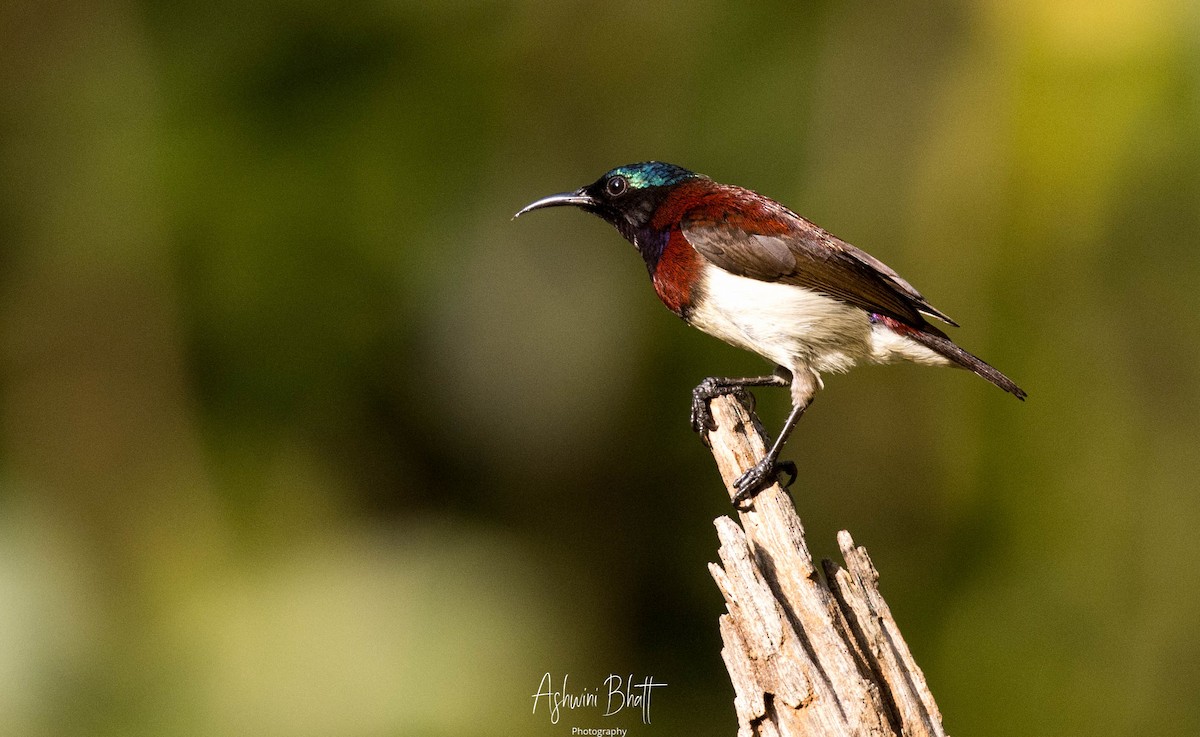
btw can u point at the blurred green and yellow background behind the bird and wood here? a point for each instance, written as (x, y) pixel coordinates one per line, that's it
(302, 435)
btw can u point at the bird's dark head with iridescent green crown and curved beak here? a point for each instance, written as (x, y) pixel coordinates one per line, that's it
(626, 197)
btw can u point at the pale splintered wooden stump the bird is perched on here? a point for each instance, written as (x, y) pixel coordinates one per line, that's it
(808, 654)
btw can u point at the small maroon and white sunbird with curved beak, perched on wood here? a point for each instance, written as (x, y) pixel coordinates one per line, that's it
(746, 269)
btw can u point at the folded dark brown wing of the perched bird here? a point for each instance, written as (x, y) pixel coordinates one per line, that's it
(775, 244)
